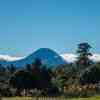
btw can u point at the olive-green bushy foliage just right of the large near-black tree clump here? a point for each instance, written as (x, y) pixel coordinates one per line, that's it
(65, 75)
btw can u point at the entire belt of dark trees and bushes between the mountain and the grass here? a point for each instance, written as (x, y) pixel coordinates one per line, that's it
(78, 79)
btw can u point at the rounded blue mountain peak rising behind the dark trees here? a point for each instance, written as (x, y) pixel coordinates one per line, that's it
(47, 56)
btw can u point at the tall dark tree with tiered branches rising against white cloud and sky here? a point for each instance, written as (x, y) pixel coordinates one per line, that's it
(83, 52)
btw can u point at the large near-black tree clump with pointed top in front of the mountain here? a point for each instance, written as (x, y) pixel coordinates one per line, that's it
(32, 77)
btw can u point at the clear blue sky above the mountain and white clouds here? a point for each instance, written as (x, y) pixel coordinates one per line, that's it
(27, 25)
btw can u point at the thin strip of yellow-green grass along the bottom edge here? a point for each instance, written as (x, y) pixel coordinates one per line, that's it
(41, 98)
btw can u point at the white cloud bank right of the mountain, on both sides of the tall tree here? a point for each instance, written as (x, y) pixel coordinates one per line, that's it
(69, 57)
